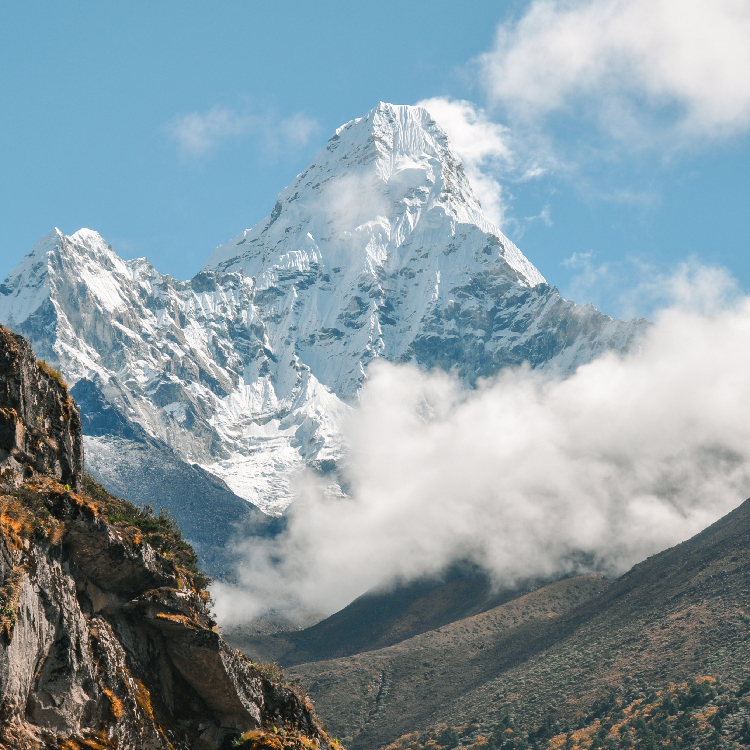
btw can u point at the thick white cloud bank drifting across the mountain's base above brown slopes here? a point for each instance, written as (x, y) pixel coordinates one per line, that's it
(529, 474)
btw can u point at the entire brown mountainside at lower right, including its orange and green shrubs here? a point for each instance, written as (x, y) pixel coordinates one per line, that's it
(605, 661)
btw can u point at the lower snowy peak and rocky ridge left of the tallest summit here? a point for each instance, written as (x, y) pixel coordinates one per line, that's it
(186, 361)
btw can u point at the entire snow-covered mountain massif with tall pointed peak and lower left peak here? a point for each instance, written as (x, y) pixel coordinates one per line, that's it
(378, 249)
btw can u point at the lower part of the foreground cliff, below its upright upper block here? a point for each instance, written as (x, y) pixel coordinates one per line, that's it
(106, 641)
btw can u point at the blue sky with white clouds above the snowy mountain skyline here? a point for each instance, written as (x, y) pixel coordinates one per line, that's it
(612, 135)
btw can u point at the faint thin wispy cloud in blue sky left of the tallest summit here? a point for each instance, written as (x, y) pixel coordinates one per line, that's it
(198, 133)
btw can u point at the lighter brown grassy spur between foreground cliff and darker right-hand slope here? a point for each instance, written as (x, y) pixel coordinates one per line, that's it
(374, 696)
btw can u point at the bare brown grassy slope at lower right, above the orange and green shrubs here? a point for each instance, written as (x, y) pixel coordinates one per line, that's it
(680, 614)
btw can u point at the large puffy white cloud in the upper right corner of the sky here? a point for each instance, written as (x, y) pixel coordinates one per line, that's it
(627, 59)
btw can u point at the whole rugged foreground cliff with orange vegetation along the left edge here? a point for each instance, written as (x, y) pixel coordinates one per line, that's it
(106, 640)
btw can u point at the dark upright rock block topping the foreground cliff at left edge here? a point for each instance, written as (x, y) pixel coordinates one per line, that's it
(40, 427)
